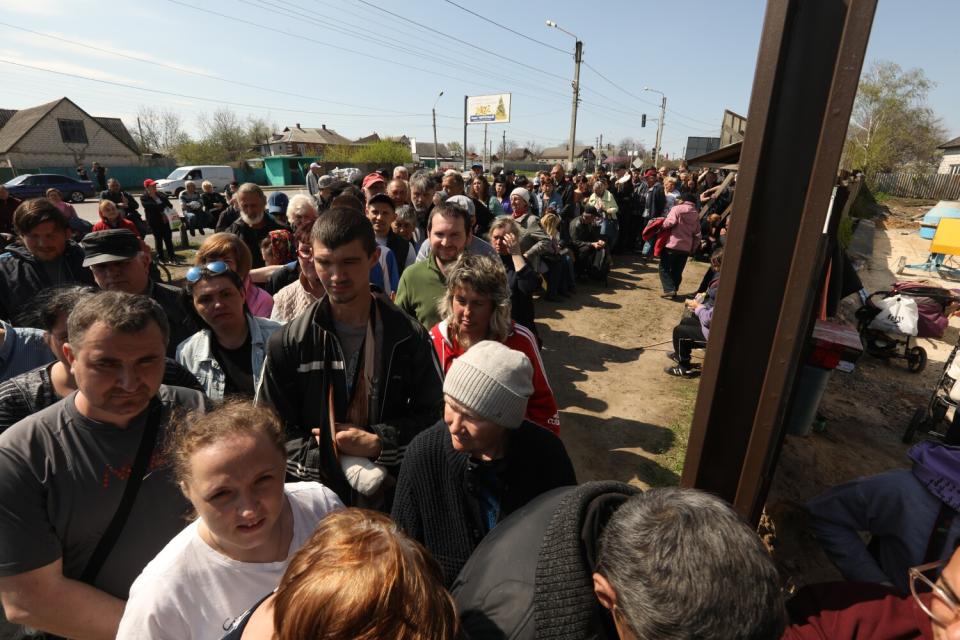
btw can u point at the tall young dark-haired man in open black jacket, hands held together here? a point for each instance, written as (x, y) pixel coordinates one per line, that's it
(352, 376)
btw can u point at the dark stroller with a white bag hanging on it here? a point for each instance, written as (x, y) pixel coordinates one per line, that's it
(932, 304)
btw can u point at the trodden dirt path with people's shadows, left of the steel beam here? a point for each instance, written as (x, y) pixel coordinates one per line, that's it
(622, 418)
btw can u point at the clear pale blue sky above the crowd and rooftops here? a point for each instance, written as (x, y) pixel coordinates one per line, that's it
(361, 66)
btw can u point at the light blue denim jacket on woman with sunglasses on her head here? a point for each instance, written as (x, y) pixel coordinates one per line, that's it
(196, 354)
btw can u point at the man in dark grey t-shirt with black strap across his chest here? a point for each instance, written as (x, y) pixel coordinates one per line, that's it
(64, 470)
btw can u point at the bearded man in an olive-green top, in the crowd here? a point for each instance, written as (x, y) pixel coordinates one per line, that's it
(424, 283)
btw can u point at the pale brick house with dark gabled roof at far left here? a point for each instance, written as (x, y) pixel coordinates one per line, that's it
(61, 134)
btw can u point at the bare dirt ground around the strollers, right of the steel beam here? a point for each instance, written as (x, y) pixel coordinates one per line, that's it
(866, 411)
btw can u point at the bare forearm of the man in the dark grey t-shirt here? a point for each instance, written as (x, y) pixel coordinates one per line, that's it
(46, 600)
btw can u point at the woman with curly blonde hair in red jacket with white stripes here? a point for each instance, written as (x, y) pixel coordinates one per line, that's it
(476, 307)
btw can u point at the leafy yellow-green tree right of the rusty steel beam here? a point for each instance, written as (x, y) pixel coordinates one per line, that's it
(891, 125)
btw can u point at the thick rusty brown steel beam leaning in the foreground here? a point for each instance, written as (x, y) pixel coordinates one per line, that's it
(808, 67)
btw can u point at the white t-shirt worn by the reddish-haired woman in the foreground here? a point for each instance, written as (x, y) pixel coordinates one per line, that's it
(189, 591)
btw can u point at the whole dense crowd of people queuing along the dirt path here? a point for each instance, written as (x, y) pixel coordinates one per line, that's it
(341, 427)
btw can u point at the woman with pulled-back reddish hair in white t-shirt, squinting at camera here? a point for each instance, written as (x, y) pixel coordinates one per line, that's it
(230, 464)
